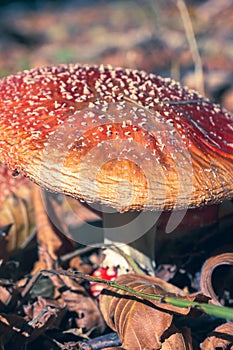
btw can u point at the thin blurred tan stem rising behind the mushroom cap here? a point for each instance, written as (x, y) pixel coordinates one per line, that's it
(199, 77)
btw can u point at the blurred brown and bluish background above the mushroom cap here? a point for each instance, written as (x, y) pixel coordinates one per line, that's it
(144, 34)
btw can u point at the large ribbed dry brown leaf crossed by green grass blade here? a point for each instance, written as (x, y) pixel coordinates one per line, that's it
(141, 324)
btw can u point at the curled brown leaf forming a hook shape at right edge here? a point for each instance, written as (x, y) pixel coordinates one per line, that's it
(207, 271)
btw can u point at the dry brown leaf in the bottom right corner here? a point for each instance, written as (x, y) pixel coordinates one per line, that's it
(221, 338)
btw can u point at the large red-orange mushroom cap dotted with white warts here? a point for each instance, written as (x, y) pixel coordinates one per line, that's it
(116, 136)
